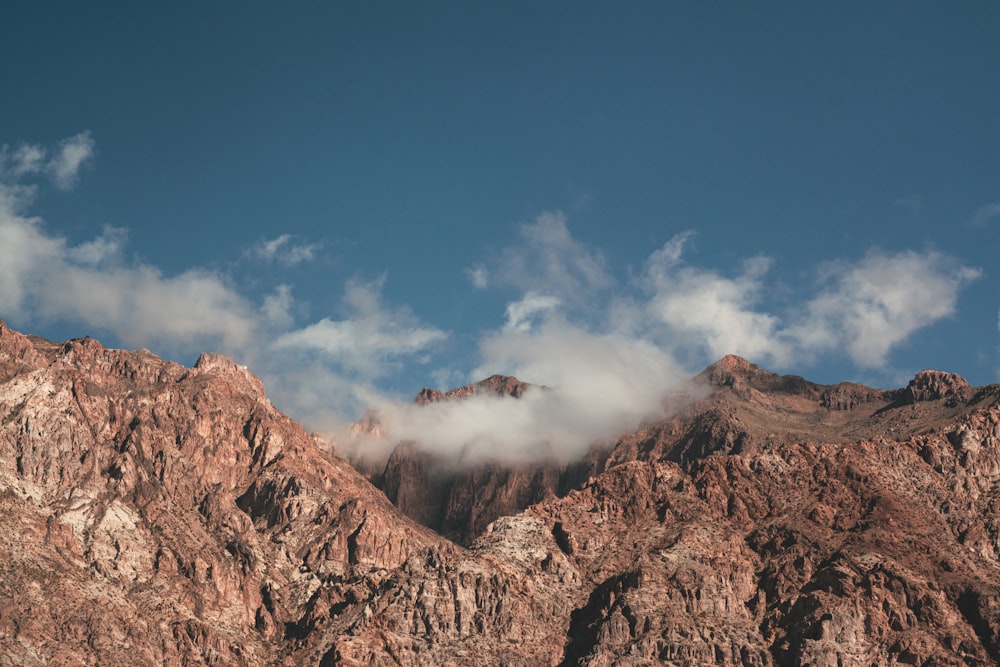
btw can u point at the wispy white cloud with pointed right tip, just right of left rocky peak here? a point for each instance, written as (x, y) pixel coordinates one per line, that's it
(369, 340)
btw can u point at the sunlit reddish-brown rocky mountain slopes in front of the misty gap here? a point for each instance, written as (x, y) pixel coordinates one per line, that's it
(154, 514)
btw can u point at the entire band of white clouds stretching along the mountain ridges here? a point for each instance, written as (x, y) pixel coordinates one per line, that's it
(609, 349)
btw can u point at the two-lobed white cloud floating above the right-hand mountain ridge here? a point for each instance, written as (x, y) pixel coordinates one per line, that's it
(863, 310)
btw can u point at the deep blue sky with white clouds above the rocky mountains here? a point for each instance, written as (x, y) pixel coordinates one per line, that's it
(359, 199)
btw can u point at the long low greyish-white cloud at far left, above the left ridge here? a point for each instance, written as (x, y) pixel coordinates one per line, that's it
(43, 277)
